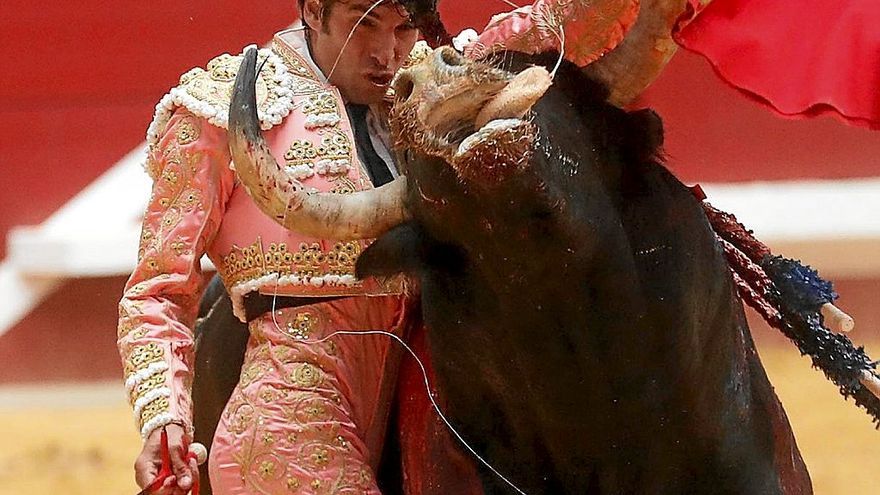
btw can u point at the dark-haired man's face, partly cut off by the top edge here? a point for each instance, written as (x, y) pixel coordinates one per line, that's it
(367, 61)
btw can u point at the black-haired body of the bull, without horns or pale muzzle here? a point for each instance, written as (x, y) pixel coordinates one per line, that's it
(582, 321)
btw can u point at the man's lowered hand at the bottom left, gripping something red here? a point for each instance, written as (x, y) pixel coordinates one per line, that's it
(149, 462)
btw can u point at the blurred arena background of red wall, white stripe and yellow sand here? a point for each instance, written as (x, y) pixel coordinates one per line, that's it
(78, 84)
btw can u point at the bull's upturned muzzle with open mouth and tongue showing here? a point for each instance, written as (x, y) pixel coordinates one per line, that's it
(471, 114)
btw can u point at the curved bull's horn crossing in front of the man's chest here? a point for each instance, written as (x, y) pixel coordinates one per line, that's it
(364, 214)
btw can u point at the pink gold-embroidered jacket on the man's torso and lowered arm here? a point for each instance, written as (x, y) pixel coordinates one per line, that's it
(197, 207)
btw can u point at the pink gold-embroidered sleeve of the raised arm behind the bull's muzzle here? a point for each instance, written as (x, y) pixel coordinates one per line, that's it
(590, 28)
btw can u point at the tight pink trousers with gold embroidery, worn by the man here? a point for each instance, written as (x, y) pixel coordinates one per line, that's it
(306, 417)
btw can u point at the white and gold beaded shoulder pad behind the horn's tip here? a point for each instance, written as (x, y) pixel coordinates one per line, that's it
(207, 93)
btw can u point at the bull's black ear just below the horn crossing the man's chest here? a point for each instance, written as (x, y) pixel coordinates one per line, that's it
(397, 251)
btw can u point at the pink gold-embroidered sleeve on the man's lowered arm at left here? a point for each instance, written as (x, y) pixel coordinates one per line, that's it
(192, 181)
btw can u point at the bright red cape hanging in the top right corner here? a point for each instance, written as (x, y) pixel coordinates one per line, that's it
(803, 59)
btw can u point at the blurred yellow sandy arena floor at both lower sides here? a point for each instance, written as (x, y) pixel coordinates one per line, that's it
(81, 440)
